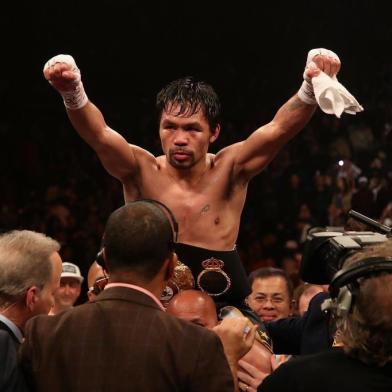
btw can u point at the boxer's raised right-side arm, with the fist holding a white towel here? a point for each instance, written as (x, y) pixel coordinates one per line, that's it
(255, 153)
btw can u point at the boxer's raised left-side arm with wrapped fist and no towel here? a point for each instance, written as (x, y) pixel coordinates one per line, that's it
(117, 156)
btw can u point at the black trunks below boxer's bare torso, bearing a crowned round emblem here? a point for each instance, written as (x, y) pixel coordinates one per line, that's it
(218, 273)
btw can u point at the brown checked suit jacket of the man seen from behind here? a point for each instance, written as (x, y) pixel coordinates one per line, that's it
(122, 342)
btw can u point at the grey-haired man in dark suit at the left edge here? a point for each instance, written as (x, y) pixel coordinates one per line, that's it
(30, 268)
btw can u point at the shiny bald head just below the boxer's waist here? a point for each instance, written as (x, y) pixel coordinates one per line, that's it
(194, 306)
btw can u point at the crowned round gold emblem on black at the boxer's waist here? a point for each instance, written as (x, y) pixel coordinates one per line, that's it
(212, 279)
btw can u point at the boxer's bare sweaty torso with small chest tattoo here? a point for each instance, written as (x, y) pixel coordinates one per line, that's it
(208, 209)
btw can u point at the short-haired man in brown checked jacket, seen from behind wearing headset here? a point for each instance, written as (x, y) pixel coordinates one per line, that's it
(124, 337)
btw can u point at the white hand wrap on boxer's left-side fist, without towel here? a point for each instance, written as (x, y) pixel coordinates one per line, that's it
(75, 98)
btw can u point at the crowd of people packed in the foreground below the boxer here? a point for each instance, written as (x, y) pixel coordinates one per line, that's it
(125, 330)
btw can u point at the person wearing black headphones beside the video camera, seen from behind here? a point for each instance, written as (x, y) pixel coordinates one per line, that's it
(361, 306)
